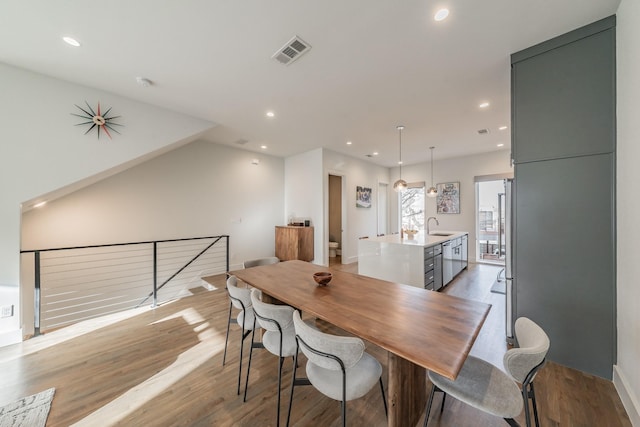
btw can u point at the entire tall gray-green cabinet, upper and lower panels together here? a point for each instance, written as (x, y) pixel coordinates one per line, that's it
(563, 127)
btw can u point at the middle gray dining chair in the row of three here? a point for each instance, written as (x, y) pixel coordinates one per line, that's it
(279, 337)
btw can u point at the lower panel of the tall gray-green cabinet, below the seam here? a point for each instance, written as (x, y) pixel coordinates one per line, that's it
(564, 261)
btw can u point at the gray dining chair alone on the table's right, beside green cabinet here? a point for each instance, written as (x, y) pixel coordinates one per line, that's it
(486, 387)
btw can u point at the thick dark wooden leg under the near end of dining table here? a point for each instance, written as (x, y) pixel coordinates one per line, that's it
(407, 391)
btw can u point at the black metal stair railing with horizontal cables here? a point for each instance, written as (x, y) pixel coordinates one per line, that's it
(77, 283)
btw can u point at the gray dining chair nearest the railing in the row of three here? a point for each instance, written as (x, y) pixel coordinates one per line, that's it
(240, 298)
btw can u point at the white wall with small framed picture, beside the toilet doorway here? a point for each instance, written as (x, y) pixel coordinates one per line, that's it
(359, 221)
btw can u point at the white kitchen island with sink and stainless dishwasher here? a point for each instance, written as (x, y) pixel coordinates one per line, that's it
(425, 261)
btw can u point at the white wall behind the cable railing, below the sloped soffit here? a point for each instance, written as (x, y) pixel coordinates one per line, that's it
(184, 193)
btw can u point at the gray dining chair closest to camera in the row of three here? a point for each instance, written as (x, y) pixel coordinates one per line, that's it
(337, 366)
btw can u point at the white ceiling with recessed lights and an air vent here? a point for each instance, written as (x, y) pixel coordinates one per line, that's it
(374, 64)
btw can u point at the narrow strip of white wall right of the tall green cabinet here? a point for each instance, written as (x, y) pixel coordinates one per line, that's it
(627, 370)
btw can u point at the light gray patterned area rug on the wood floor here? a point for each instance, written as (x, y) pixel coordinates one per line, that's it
(30, 411)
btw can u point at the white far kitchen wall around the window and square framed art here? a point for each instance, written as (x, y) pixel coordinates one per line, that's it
(460, 169)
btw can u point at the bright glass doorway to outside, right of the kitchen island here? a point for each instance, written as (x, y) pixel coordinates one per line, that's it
(490, 215)
